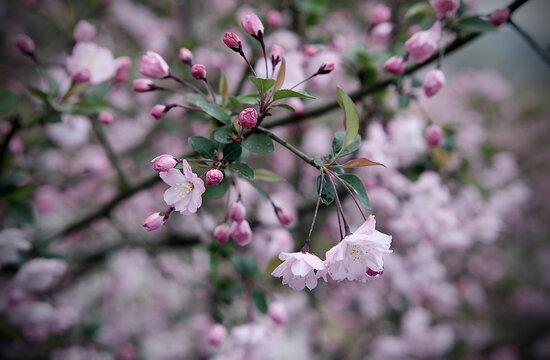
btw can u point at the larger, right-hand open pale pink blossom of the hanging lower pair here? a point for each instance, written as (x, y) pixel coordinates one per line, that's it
(356, 254)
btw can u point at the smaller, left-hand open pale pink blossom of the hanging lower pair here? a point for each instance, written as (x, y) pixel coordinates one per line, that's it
(300, 269)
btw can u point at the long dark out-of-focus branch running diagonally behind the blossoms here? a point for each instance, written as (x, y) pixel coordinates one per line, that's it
(106, 208)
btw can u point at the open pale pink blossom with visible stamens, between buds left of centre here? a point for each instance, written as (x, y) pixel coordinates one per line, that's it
(186, 189)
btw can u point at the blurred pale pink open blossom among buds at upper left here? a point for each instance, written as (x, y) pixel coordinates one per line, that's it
(98, 60)
